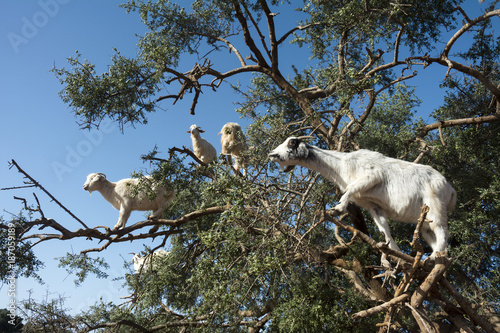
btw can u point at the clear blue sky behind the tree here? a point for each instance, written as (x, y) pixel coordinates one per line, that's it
(39, 131)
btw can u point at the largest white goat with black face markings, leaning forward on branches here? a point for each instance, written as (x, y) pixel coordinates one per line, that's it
(386, 187)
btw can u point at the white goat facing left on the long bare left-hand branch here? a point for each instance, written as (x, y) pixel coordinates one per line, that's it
(119, 195)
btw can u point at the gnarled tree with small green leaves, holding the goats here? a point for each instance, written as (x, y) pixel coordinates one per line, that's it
(276, 257)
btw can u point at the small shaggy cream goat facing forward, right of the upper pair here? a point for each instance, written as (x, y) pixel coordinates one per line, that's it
(233, 144)
